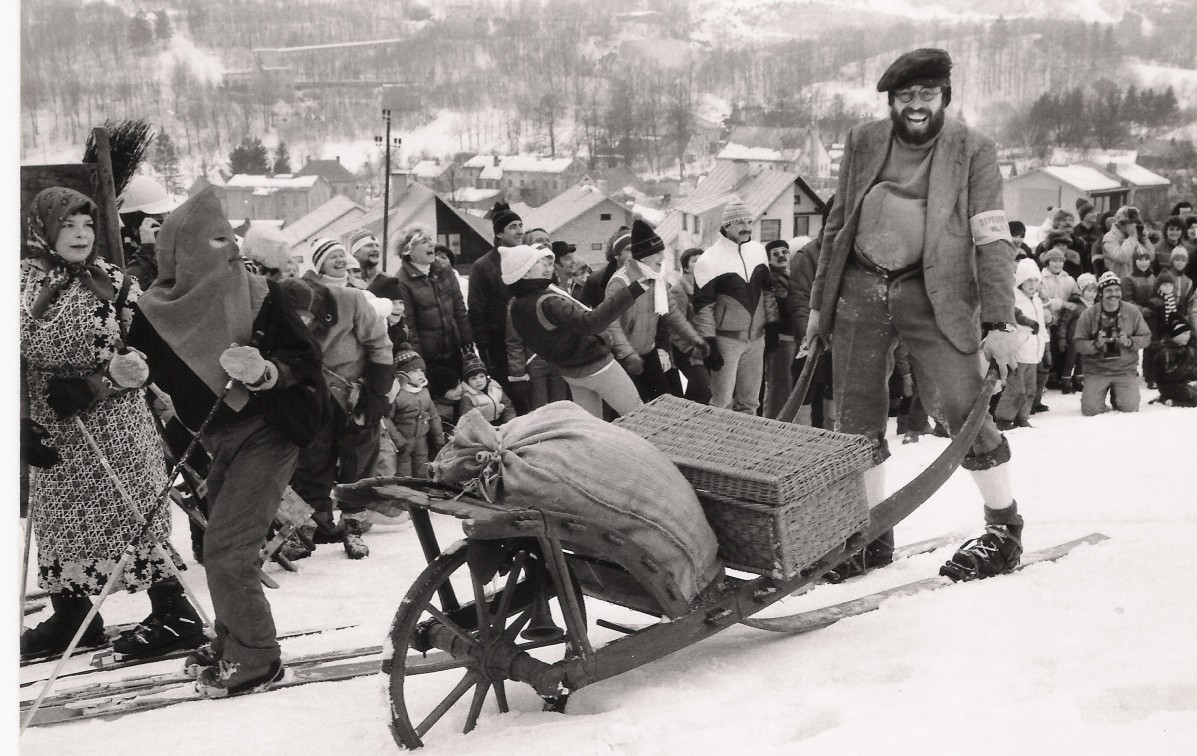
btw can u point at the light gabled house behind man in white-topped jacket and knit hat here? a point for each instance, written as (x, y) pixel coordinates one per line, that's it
(782, 204)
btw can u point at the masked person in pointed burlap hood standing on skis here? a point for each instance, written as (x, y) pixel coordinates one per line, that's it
(204, 326)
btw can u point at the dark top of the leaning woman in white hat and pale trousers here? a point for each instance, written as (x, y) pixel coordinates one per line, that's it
(564, 332)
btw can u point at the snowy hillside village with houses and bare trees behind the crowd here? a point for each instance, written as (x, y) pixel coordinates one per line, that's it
(584, 119)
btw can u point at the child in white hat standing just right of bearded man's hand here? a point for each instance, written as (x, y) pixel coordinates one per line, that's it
(1014, 409)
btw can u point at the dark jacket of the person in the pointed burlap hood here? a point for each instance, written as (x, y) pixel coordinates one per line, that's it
(296, 406)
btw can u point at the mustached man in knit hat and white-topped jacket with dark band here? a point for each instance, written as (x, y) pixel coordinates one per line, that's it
(733, 303)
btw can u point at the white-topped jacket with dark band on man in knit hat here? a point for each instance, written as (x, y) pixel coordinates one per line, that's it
(734, 295)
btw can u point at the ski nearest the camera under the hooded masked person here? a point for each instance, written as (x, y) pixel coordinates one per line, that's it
(130, 703)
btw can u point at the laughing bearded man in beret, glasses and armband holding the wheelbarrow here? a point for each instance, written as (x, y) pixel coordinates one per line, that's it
(918, 247)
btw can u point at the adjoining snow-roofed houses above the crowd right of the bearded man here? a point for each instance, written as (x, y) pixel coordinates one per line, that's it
(1029, 197)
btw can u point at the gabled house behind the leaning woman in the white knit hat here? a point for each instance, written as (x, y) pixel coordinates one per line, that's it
(582, 216)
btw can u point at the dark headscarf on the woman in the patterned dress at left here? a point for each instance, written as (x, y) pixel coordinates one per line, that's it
(51, 209)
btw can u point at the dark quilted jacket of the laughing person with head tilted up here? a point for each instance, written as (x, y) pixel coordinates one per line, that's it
(435, 312)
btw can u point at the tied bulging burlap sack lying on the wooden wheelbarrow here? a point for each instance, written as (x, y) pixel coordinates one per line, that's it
(561, 459)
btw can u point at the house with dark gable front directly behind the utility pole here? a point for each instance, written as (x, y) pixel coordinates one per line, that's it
(411, 204)
